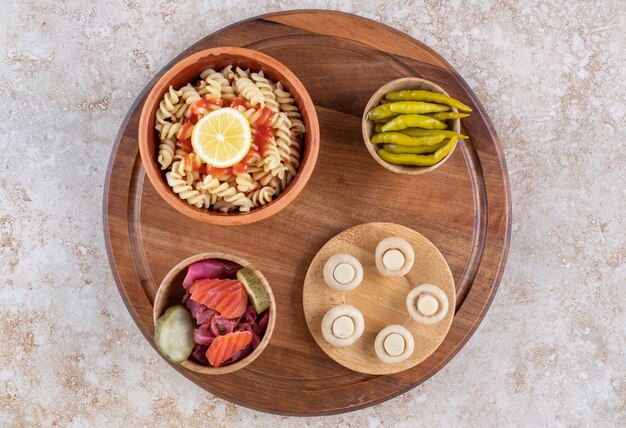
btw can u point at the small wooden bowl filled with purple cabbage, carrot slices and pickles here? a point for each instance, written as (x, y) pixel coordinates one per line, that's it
(213, 313)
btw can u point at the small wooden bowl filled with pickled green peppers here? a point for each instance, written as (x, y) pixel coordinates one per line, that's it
(411, 125)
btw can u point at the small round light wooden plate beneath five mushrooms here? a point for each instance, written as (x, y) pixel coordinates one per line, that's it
(381, 300)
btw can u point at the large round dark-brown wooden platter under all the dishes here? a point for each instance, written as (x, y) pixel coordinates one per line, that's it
(464, 208)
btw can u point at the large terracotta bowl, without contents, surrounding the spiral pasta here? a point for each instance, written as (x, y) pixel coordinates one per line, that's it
(187, 70)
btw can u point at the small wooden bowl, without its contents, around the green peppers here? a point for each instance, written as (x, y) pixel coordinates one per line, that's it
(367, 126)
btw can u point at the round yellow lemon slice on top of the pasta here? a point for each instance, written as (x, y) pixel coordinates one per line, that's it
(222, 138)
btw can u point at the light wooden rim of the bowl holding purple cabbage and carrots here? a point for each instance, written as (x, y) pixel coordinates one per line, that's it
(168, 282)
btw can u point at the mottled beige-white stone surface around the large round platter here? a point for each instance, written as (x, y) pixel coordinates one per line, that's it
(550, 352)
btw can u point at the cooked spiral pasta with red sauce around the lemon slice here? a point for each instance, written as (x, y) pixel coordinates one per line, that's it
(276, 129)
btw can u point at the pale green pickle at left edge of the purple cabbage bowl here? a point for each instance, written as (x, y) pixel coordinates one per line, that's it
(174, 333)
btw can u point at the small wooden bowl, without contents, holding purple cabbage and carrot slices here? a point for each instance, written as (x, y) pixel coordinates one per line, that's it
(171, 292)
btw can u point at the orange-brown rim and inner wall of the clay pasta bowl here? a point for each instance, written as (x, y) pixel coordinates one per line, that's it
(309, 154)
